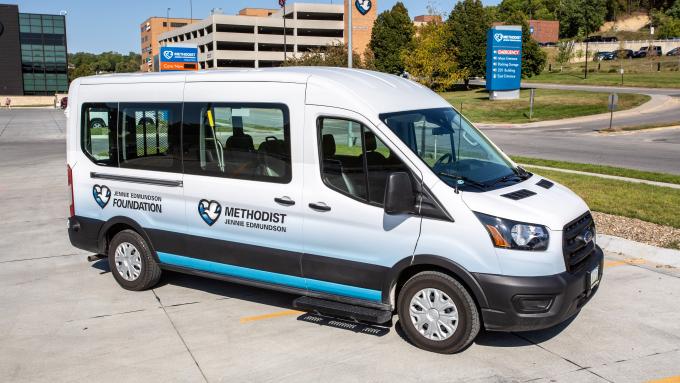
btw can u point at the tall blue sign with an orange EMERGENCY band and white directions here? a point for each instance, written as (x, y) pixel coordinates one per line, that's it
(504, 58)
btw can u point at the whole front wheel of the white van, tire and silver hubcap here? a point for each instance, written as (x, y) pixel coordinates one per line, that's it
(437, 313)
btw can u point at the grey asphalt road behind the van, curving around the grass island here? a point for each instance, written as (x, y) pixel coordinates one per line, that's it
(576, 140)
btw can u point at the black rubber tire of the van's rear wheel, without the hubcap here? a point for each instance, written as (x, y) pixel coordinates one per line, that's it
(150, 271)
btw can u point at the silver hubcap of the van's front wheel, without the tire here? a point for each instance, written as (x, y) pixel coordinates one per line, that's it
(434, 314)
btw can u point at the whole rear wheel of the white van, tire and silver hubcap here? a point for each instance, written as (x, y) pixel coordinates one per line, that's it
(131, 262)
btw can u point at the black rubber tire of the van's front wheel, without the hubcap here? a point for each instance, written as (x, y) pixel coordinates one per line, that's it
(468, 315)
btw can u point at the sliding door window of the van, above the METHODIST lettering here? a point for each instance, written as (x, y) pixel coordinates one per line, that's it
(244, 141)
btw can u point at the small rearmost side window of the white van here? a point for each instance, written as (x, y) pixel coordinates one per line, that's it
(98, 124)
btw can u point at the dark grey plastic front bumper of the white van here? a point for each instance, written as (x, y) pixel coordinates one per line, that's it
(534, 303)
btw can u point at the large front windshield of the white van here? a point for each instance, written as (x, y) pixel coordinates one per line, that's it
(454, 149)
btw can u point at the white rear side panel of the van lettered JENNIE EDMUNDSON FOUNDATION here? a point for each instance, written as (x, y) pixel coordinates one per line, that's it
(153, 199)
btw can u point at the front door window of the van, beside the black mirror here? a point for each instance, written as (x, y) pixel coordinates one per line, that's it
(354, 161)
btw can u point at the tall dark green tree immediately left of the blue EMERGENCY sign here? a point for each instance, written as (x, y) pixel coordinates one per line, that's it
(468, 25)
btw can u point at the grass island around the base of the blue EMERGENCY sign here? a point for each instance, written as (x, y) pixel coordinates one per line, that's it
(548, 105)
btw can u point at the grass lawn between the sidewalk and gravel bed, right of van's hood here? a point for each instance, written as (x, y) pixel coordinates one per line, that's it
(654, 204)
